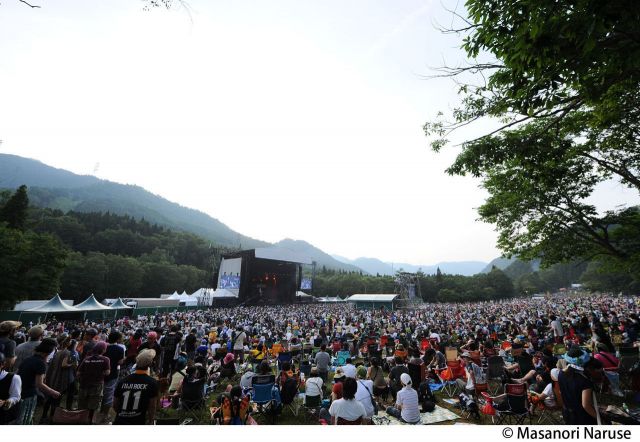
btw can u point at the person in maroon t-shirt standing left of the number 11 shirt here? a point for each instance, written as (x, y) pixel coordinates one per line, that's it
(91, 375)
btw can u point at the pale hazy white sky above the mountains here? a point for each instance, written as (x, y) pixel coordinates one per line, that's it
(299, 119)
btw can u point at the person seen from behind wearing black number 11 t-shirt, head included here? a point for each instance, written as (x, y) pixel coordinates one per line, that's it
(136, 396)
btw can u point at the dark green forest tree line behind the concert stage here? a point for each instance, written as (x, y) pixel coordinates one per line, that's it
(46, 251)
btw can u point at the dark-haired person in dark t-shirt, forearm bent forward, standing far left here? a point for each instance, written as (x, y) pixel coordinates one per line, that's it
(32, 373)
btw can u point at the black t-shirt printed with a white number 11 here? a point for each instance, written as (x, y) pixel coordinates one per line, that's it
(135, 393)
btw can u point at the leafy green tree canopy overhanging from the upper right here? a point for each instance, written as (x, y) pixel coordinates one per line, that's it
(563, 77)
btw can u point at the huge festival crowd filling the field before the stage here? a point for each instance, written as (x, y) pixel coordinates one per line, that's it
(350, 363)
